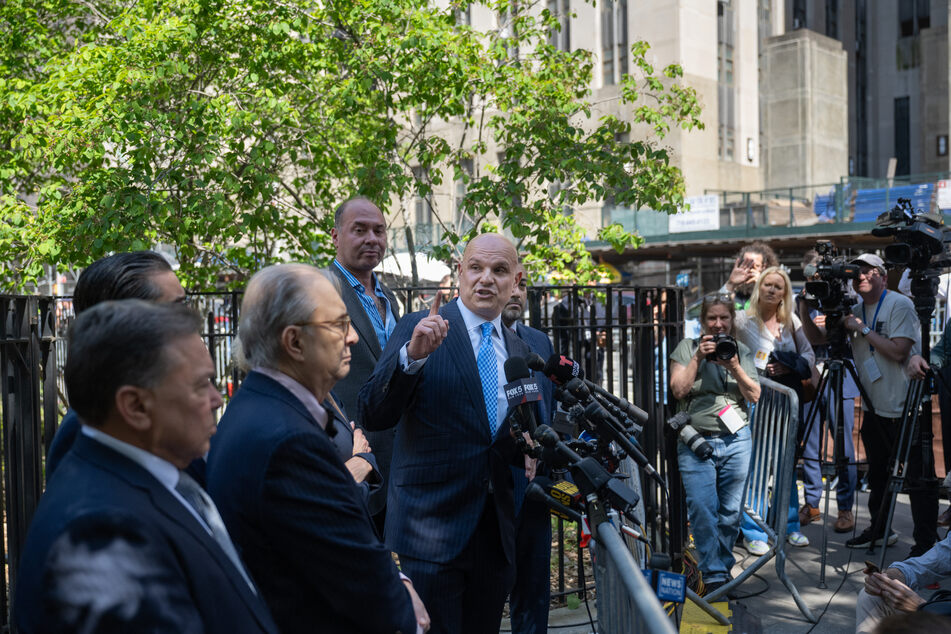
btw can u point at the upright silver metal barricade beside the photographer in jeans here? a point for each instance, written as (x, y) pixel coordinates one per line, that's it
(774, 422)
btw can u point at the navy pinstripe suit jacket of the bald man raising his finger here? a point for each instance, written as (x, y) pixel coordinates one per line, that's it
(444, 458)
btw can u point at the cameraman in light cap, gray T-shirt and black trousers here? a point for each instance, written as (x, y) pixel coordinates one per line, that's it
(886, 332)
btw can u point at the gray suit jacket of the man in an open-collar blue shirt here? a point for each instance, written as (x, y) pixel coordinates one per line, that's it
(363, 358)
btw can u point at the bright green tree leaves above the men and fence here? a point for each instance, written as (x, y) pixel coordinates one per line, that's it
(231, 128)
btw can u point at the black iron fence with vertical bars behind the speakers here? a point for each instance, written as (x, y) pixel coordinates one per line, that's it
(621, 335)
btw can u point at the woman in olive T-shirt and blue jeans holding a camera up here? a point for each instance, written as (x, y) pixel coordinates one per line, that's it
(705, 379)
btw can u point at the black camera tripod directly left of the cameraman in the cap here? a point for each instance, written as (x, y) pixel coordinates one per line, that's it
(831, 389)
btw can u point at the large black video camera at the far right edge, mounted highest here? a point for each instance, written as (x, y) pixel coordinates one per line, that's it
(922, 240)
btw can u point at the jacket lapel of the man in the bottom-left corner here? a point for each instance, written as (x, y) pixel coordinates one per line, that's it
(166, 504)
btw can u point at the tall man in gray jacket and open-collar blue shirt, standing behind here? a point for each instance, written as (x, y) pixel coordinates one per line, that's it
(359, 234)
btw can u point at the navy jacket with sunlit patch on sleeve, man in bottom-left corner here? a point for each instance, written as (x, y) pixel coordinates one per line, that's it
(110, 543)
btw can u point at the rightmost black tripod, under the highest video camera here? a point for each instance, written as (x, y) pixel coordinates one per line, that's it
(915, 432)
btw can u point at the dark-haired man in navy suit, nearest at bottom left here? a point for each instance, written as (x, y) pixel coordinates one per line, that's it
(123, 540)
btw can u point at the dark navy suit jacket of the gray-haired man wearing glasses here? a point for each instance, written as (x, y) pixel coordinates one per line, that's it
(294, 509)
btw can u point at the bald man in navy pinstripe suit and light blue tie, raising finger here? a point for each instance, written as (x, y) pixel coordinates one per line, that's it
(450, 512)
